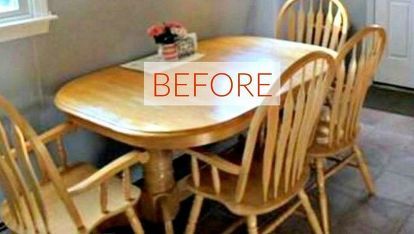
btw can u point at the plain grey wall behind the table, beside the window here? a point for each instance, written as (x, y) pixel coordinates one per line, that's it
(91, 34)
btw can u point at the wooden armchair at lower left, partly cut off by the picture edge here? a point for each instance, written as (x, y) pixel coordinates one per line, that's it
(43, 198)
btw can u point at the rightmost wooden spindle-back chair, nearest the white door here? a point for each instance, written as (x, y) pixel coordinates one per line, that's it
(339, 123)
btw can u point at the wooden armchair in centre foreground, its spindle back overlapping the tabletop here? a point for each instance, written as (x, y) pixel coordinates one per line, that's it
(265, 177)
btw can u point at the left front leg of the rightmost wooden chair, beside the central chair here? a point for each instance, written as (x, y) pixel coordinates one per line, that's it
(323, 200)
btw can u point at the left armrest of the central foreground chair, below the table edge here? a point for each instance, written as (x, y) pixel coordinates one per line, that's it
(216, 161)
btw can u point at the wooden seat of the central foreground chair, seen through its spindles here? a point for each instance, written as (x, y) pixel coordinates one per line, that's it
(253, 202)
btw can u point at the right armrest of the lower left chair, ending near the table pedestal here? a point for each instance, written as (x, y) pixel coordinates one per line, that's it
(110, 170)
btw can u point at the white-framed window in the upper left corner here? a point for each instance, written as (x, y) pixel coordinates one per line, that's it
(23, 18)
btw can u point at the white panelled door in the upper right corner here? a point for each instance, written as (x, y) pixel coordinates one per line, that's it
(398, 64)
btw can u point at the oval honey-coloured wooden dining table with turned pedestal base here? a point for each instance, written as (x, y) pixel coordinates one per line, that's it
(110, 102)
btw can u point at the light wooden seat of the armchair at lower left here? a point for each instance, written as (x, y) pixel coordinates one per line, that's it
(88, 203)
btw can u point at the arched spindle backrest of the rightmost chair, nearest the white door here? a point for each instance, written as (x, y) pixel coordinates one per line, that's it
(358, 61)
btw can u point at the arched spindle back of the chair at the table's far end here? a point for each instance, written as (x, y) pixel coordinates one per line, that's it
(318, 22)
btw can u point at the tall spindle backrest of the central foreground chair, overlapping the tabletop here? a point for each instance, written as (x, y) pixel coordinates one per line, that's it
(287, 129)
